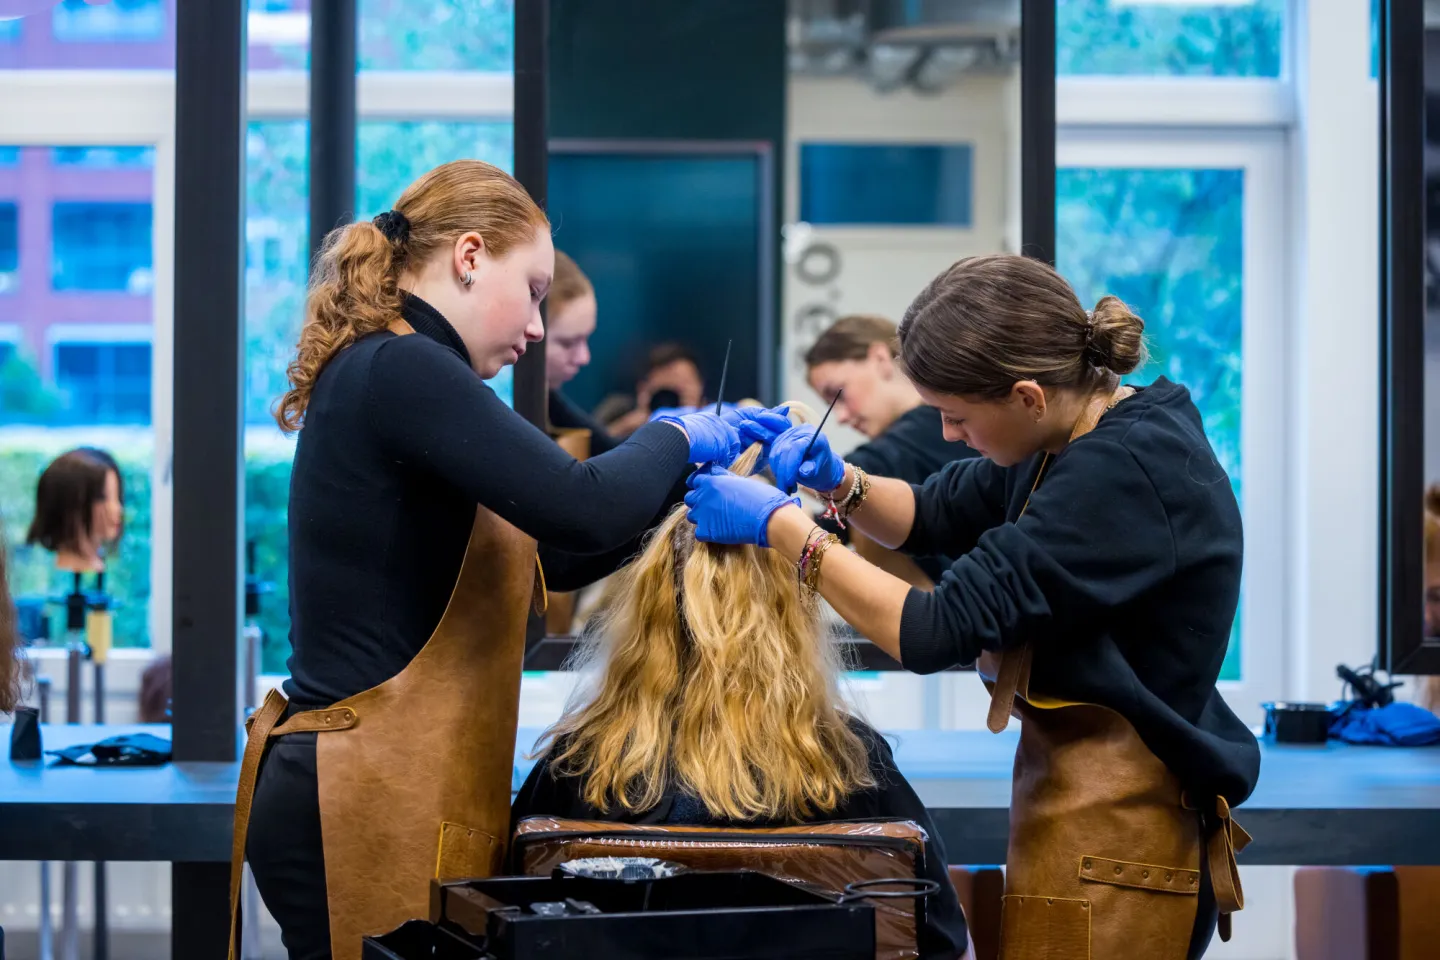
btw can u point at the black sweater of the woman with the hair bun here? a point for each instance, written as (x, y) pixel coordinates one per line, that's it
(1124, 574)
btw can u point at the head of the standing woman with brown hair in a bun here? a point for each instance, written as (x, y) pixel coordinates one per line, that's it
(1004, 350)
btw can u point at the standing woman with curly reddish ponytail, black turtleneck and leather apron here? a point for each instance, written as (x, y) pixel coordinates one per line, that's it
(415, 507)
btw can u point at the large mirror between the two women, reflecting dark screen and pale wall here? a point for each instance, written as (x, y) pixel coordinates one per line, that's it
(754, 171)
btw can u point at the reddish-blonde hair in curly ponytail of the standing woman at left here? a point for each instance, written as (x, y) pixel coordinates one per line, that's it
(356, 284)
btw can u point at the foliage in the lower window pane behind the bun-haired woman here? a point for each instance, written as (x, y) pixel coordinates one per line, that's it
(1169, 243)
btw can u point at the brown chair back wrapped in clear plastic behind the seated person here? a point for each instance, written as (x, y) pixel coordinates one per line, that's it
(826, 857)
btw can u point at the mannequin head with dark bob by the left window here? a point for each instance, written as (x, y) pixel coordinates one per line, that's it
(80, 509)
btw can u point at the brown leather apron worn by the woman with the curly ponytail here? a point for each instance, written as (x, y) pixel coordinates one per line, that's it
(415, 774)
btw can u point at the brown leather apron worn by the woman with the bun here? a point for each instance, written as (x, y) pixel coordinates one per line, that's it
(1105, 848)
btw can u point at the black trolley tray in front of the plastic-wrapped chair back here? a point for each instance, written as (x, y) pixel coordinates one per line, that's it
(699, 916)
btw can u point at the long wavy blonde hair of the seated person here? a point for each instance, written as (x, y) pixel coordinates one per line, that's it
(711, 674)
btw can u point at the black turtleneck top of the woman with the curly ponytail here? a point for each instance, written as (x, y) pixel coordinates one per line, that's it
(402, 440)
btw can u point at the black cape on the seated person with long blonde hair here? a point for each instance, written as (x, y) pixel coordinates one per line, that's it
(942, 936)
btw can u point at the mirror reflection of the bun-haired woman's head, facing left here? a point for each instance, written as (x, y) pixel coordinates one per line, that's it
(858, 356)
